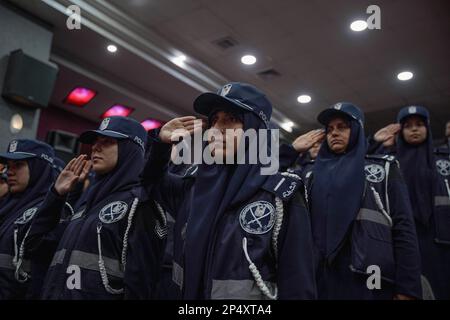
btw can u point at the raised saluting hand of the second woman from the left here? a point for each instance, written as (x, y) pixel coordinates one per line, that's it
(75, 171)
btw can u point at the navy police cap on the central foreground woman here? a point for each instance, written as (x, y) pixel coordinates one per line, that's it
(237, 96)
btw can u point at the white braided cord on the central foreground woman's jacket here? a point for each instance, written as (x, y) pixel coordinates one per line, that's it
(253, 269)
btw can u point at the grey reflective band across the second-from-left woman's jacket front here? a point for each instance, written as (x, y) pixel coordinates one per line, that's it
(89, 261)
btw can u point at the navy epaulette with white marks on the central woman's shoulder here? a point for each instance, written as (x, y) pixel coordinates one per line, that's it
(283, 184)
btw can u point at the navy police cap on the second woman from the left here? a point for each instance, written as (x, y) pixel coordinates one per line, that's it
(119, 128)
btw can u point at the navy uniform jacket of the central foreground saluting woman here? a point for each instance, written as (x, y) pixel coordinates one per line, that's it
(281, 249)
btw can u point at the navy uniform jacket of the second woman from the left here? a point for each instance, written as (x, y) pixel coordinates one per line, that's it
(93, 259)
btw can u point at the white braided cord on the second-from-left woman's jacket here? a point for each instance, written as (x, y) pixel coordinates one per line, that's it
(101, 262)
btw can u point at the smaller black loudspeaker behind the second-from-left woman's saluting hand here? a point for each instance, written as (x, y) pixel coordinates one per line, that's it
(65, 144)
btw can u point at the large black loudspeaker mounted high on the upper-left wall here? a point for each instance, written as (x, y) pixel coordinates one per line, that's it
(29, 81)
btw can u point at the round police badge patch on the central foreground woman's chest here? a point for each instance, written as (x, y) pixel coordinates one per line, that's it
(257, 217)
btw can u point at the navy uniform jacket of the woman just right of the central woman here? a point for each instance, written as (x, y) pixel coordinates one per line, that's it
(382, 234)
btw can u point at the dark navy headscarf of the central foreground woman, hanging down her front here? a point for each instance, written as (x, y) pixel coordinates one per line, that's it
(217, 188)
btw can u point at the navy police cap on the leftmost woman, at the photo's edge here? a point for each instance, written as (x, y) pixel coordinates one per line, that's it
(22, 149)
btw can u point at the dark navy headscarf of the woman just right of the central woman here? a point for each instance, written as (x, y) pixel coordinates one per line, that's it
(337, 190)
